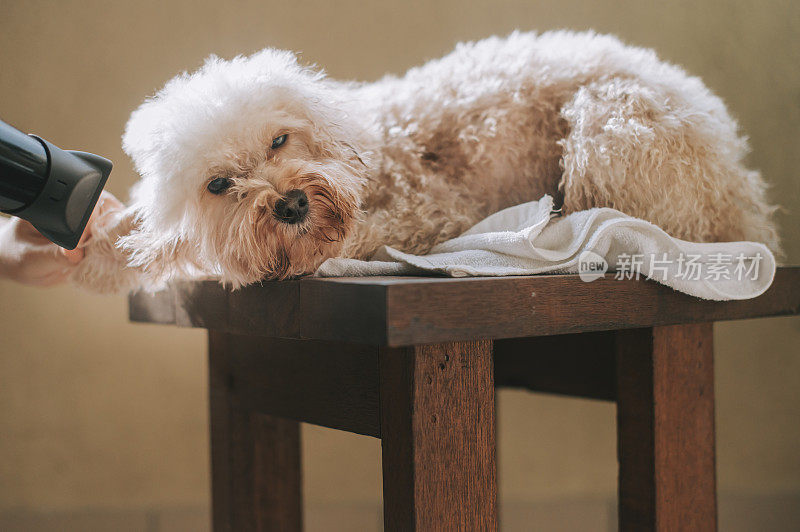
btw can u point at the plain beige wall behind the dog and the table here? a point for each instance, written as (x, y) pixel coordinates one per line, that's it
(98, 413)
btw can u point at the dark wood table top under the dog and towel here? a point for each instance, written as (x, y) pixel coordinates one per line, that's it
(398, 311)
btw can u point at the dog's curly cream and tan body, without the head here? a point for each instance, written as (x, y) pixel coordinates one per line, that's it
(503, 121)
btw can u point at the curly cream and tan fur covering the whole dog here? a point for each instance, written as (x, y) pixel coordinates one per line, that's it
(411, 161)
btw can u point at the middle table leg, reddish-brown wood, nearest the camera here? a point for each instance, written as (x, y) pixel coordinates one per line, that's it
(438, 437)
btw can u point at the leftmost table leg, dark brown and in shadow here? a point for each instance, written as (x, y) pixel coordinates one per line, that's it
(255, 458)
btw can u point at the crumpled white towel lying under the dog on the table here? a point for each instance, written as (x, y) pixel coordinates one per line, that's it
(530, 239)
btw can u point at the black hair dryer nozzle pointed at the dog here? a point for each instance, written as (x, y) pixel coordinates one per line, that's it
(53, 189)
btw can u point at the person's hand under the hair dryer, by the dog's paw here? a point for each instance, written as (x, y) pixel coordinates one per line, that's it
(28, 257)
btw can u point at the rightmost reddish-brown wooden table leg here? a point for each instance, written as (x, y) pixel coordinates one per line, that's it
(665, 427)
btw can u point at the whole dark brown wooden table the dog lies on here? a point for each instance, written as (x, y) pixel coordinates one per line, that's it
(415, 362)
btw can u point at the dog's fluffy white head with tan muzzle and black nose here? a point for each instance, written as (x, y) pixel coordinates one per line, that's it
(251, 168)
